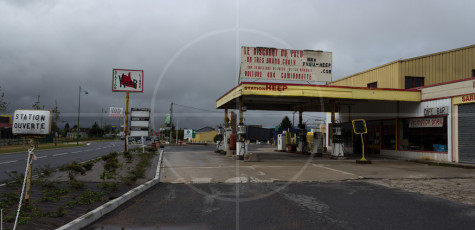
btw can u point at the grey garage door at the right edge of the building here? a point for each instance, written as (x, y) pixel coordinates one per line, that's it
(466, 133)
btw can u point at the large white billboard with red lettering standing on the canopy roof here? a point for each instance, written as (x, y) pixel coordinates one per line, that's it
(288, 65)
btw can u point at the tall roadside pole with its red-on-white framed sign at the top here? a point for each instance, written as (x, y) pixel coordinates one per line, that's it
(125, 80)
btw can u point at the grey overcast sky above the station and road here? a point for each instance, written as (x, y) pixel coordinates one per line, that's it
(187, 49)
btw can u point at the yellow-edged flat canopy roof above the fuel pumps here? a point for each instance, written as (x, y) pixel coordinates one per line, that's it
(307, 97)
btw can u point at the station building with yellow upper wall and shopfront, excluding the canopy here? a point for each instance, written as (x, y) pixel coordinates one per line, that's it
(440, 126)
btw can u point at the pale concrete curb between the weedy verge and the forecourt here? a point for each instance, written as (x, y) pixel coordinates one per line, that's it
(102, 210)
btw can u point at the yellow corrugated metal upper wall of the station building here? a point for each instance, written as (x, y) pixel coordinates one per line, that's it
(435, 68)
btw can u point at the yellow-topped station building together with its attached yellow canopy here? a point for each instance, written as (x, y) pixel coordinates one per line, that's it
(419, 108)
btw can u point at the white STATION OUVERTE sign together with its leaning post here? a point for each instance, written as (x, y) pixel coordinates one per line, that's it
(30, 124)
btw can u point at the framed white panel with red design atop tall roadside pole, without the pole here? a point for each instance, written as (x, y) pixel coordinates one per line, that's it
(124, 80)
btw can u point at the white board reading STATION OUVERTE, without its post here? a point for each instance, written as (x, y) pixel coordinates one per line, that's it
(31, 122)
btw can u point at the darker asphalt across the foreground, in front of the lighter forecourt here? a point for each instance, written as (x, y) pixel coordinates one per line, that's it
(342, 205)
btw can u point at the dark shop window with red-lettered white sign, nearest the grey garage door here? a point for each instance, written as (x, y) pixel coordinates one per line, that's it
(423, 134)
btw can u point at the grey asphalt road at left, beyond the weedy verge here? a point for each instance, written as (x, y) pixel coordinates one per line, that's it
(56, 157)
